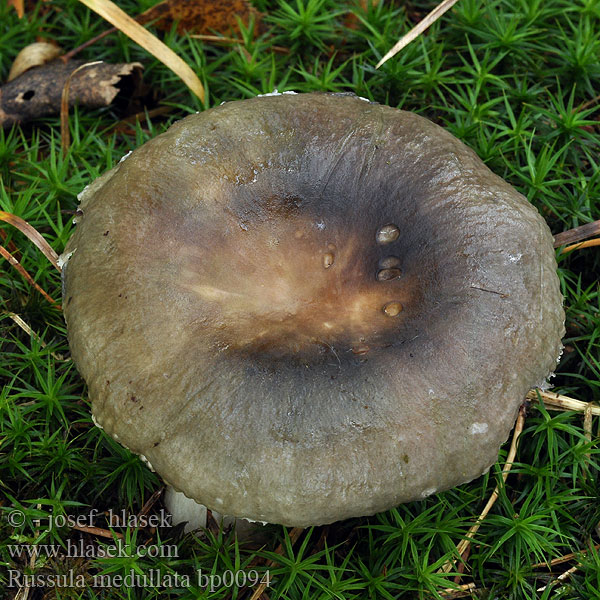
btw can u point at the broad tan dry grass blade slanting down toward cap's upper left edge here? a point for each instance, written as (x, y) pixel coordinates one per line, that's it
(122, 21)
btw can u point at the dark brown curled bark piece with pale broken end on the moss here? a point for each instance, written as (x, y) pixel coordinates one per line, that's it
(37, 92)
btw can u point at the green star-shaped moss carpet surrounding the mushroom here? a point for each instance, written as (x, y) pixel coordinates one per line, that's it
(516, 80)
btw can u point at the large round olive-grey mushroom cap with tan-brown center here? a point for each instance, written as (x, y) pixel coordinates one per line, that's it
(304, 308)
